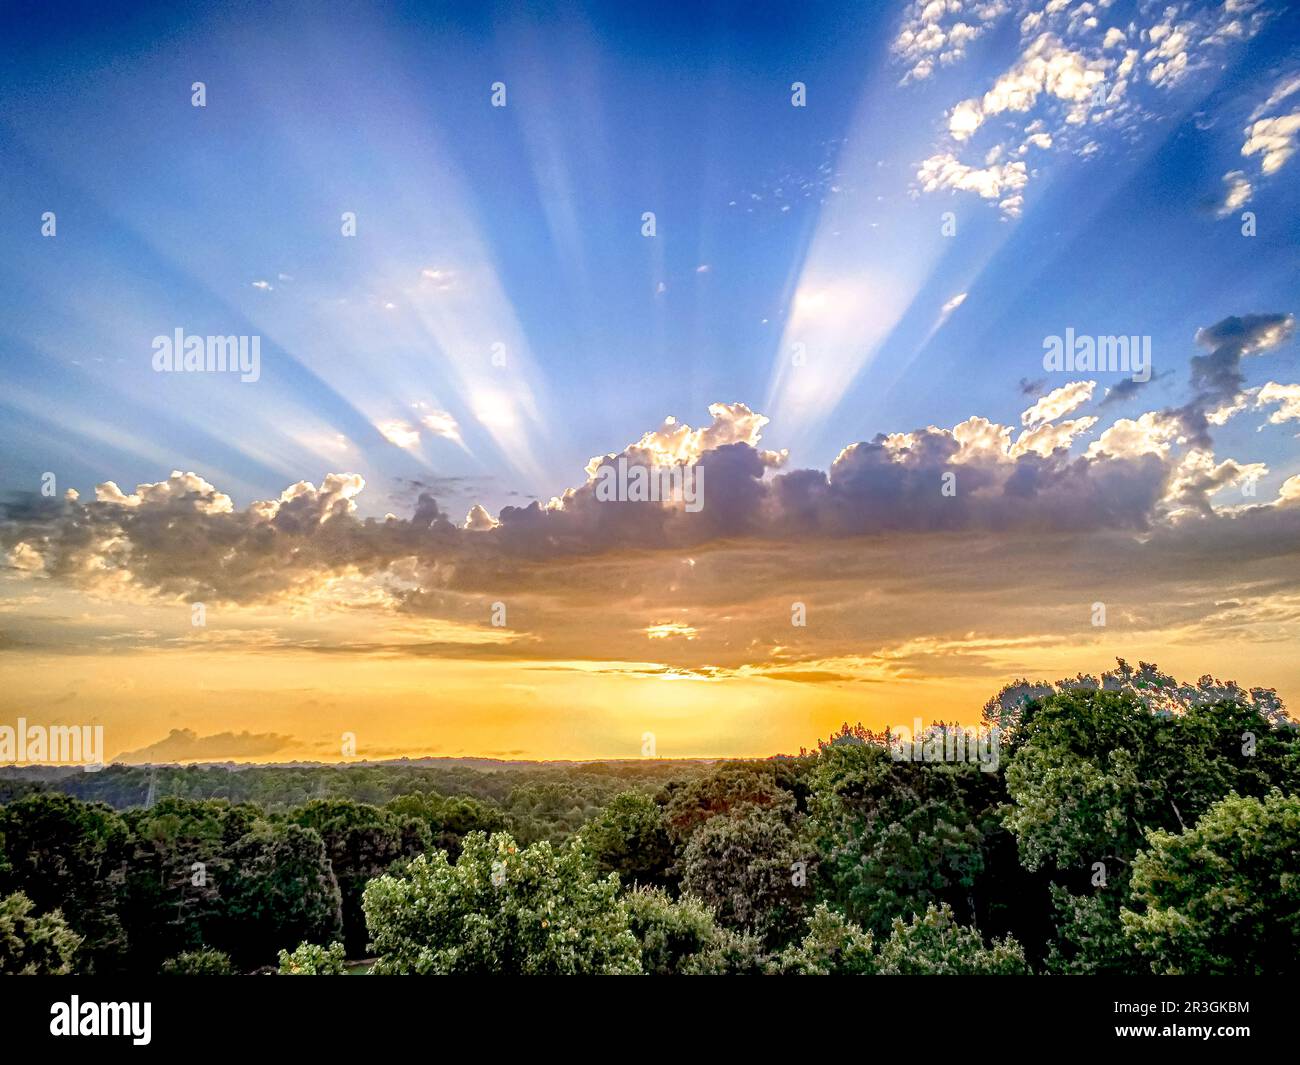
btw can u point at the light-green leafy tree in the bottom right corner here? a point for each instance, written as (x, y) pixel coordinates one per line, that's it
(1223, 898)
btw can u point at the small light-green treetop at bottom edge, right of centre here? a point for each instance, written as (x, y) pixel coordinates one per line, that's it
(934, 945)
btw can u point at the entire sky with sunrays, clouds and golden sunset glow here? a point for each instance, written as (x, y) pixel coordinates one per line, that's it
(816, 252)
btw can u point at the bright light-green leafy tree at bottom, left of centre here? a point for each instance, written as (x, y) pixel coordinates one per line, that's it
(501, 910)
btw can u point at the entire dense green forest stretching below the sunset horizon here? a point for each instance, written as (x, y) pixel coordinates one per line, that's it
(1134, 826)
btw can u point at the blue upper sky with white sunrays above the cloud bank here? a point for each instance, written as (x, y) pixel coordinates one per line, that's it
(168, 215)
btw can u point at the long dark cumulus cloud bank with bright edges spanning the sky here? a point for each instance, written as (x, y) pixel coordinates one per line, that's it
(183, 539)
